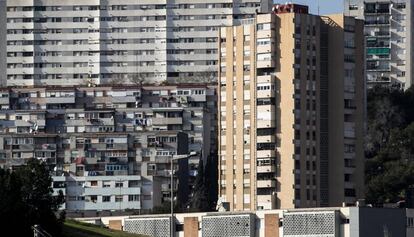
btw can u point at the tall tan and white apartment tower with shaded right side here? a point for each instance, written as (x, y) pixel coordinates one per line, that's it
(291, 105)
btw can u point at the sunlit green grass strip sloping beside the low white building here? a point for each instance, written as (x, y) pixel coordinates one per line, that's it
(73, 228)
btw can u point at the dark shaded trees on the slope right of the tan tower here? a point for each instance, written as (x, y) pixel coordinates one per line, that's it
(389, 169)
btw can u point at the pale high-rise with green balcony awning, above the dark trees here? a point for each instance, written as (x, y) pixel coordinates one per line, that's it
(388, 40)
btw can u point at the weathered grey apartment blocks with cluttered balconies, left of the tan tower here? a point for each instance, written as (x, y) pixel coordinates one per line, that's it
(109, 134)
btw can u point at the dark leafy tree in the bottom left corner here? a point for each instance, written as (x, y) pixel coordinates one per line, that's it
(26, 199)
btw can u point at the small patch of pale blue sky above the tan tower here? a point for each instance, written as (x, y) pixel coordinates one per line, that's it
(326, 6)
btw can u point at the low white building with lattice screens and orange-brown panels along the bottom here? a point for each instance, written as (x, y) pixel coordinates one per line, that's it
(327, 222)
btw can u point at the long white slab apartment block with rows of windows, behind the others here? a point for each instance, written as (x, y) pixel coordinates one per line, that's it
(81, 42)
